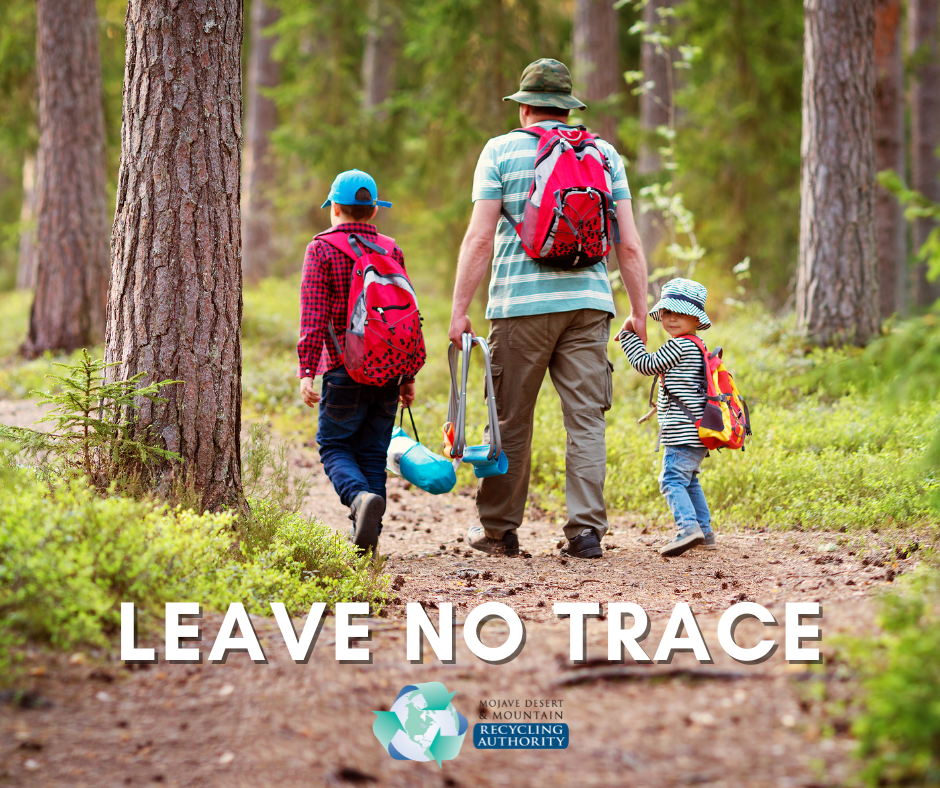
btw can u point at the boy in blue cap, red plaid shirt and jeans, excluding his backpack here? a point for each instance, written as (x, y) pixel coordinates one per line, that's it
(356, 420)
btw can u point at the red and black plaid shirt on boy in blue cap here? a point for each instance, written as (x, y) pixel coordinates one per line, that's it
(324, 291)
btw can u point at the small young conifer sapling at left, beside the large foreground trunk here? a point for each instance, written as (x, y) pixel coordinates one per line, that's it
(94, 432)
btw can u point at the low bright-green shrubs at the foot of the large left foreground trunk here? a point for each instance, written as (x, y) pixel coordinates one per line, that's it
(69, 557)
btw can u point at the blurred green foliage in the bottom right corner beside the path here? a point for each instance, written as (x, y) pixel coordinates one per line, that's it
(898, 729)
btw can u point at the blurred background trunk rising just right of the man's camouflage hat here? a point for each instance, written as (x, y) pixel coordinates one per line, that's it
(596, 70)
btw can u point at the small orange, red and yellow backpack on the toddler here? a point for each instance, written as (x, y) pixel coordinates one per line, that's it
(726, 420)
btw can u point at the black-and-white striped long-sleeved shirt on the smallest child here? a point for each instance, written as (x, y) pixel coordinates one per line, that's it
(681, 363)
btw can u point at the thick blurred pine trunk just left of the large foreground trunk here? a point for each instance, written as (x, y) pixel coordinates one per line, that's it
(71, 201)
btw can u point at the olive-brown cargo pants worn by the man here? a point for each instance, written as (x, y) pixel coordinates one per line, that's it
(572, 346)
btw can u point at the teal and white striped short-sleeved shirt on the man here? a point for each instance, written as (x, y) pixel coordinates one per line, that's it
(520, 285)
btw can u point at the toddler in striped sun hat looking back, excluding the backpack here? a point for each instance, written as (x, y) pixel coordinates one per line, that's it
(681, 401)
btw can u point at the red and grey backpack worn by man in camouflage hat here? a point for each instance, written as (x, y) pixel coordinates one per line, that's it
(570, 210)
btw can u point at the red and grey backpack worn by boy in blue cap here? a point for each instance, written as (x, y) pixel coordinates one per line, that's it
(383, 328)
